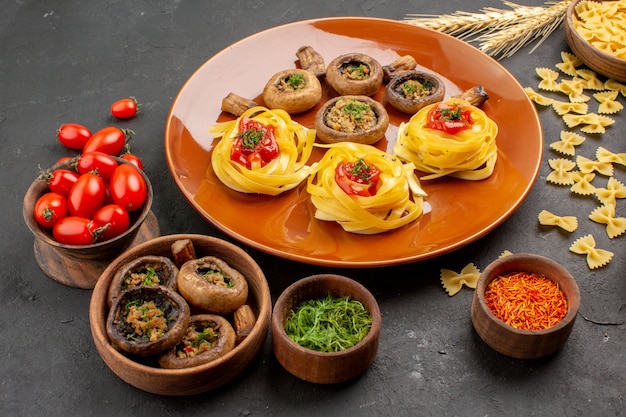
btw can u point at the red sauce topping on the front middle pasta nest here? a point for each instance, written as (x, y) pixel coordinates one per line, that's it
(357, 178)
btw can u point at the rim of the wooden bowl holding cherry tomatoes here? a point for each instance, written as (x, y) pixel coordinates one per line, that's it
(38, 232)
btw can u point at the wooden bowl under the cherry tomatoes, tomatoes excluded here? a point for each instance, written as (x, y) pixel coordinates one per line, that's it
(81, 265)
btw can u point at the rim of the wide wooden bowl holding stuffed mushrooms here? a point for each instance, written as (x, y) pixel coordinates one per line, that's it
(98, 304)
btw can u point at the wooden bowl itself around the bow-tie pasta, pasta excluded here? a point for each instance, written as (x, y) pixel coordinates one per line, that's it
(602, 62)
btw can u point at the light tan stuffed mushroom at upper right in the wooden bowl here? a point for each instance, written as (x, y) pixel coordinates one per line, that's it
(212, 285)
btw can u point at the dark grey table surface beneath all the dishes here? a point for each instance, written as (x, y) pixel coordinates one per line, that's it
(68, 61)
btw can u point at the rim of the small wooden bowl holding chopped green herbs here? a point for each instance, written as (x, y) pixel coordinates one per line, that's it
(278, 329)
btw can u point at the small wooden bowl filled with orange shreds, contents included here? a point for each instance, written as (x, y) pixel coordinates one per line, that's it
(525, 306)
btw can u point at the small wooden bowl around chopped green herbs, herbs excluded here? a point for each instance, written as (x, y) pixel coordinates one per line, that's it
(324, 367)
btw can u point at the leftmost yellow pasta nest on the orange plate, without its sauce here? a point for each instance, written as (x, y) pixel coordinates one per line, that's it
(285, 172)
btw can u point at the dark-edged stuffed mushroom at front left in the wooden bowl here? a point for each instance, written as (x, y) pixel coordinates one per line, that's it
(147, 321)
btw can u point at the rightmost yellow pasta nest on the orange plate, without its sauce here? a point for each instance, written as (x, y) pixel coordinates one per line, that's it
(470, 154)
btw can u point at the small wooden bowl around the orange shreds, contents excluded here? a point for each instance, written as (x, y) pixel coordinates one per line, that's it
(517, 343)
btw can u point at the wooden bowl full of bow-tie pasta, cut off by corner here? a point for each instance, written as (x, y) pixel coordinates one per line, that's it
(581, 40)
